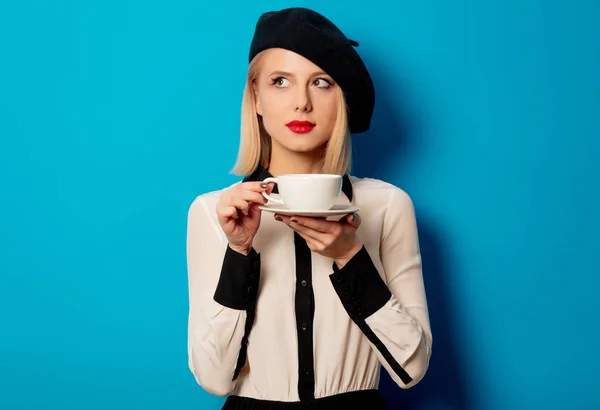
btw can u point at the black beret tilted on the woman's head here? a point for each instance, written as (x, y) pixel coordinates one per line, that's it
(314, 37)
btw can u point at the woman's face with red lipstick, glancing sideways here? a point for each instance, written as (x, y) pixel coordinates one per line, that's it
(289, 88)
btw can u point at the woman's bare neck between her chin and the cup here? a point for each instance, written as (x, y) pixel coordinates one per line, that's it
(286, 162)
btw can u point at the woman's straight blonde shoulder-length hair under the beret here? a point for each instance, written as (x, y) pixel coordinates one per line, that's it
(255, 142)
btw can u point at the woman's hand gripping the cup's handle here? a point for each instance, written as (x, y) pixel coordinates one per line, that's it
(238, 213)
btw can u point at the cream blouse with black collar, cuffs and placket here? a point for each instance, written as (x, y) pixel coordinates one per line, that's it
(285, 324)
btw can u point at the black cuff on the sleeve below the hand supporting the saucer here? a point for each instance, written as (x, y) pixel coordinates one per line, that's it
(359, 286)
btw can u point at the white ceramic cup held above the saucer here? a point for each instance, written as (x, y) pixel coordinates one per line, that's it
(307, 192)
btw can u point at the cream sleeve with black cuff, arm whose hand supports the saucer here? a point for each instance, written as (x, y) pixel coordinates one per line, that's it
(391, 308)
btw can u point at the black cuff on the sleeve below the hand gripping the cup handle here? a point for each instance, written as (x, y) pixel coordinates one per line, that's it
(238, 283)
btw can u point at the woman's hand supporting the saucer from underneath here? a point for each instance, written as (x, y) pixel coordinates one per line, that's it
(334, 239)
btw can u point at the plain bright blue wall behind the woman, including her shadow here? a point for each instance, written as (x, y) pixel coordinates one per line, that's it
(114, 115)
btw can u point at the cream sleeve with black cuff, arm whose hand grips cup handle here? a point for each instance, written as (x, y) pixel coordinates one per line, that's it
(222, 287)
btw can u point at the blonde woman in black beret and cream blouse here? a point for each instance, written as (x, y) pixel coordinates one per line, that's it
(299, 312)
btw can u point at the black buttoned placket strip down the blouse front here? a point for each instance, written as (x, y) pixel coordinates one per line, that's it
(305, 311)
